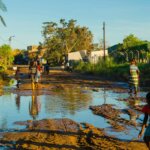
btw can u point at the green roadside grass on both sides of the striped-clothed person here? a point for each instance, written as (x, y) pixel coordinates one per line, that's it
(112, 70)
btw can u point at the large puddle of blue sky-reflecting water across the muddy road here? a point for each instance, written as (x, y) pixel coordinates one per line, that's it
(70, 102)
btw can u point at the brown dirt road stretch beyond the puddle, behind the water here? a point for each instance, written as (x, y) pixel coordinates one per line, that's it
(60, 77)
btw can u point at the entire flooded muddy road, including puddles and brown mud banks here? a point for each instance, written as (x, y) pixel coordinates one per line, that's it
(91, 104)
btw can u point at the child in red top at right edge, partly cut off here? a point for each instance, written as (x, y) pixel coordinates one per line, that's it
(146, 111)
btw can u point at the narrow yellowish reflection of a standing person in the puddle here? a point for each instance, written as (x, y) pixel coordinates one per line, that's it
(34, 105)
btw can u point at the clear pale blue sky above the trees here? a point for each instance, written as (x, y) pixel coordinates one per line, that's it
(24, 19)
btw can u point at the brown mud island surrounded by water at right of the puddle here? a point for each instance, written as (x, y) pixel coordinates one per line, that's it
(113, 115)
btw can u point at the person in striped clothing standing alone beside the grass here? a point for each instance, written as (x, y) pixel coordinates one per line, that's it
(134, 77)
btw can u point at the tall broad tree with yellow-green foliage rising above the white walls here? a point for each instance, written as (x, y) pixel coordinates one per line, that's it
(65, 37)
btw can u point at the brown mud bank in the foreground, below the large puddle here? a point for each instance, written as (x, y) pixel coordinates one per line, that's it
(65, 134)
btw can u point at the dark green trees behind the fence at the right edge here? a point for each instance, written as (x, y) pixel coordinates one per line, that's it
(132, 47)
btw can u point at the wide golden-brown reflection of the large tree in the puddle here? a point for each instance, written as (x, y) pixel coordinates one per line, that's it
(69, 99)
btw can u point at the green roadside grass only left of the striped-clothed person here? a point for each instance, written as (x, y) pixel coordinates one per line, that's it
(107, 68)
